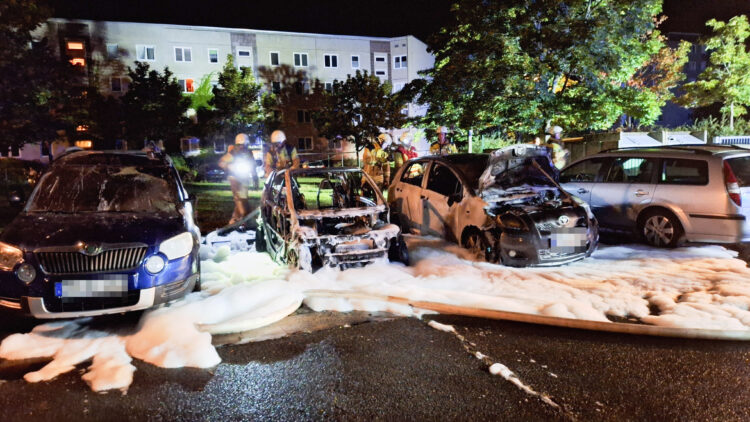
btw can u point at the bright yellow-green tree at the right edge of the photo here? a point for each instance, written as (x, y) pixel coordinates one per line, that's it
(726, 79)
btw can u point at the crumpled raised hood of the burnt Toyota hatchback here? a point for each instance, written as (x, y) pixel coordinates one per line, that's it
(514, 166)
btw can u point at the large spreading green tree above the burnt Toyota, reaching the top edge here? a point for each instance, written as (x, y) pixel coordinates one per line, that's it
(522, 65)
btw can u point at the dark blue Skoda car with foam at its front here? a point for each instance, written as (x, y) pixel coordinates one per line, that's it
(102, 233)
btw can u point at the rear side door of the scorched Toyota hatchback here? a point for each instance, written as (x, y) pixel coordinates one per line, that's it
(407, 191)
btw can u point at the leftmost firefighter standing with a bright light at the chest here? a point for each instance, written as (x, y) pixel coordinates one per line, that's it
(239, 163)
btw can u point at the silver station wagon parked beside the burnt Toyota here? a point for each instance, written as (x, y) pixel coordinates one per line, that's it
(668, 195)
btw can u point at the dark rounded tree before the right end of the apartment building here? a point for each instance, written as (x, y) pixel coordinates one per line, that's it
(360, 108)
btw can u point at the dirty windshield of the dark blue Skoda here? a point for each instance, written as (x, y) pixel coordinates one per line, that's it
(76, 188)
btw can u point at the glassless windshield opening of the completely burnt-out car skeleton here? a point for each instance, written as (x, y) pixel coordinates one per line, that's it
(332, 189)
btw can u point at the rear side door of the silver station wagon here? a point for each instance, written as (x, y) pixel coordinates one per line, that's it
(627, 187)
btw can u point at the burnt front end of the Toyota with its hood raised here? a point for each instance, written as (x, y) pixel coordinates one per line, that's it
(532, 220)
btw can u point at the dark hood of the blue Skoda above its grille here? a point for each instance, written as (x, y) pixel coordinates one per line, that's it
(34, 230)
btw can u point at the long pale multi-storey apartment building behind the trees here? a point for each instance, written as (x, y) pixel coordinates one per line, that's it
(104, 50)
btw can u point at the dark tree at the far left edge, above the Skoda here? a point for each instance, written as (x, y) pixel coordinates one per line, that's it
(34, 83)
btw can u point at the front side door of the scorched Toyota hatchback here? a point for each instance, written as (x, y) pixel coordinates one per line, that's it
(440, 196)
